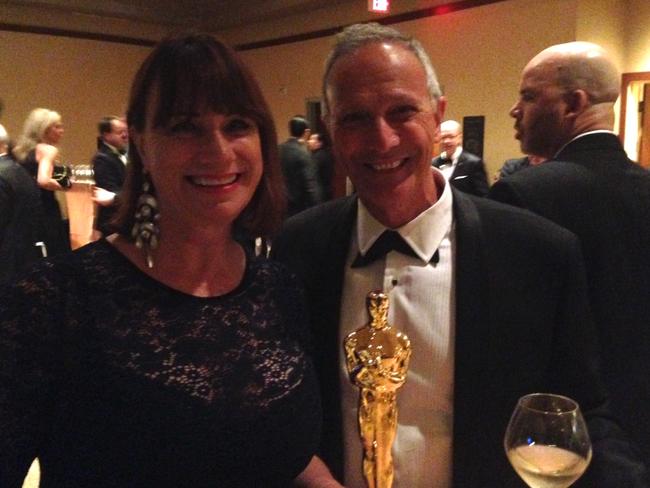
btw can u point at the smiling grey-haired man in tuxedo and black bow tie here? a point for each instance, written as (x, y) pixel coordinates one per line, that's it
(491, 297)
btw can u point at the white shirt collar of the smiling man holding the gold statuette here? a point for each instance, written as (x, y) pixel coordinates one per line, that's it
(424, 233)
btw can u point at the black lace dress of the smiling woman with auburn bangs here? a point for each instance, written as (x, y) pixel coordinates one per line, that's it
(115, 380)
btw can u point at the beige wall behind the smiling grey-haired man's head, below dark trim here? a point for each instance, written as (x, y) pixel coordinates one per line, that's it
(478, 53)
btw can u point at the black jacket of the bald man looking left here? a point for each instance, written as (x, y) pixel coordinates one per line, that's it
(595, 191)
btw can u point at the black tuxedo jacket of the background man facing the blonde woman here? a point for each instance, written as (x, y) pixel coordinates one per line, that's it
(110, 173)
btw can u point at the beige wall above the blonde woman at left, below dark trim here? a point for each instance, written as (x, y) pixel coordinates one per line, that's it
(82, 80)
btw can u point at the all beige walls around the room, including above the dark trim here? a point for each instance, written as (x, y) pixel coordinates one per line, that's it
(478, 53)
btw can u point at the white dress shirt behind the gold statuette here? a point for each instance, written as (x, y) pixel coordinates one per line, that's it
(421, 305)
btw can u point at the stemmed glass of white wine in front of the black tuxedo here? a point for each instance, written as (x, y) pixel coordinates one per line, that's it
(547, 441)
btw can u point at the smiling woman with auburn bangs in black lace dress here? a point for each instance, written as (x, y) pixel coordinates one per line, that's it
(165, 355)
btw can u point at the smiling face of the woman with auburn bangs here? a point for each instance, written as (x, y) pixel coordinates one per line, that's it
(205, 166)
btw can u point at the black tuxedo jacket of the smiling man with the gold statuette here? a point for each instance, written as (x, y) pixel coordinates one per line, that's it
(522, 326)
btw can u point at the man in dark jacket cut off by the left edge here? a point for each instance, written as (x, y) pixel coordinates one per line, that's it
(21, 223)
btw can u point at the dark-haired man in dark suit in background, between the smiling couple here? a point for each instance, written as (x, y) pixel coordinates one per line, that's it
(298, 168)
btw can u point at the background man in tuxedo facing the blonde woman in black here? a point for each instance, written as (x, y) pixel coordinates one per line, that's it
(109, 164)
